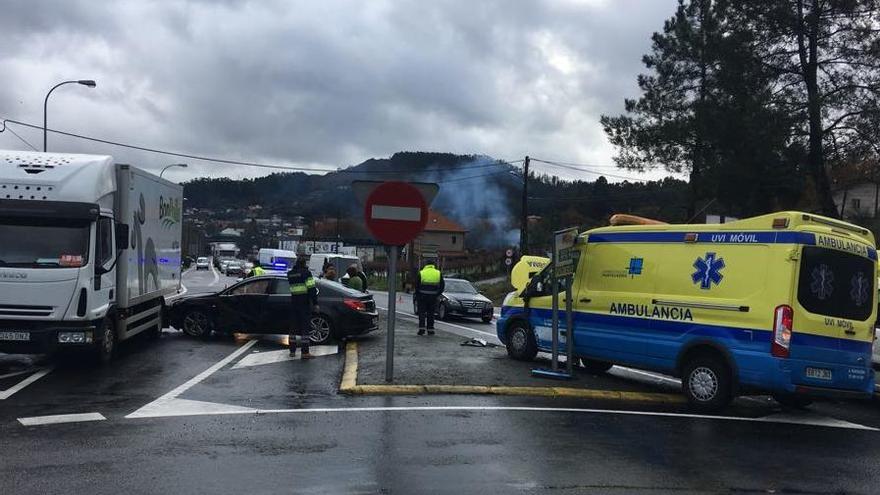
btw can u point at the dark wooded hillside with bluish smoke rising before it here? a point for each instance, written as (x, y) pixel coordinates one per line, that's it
(479, 192)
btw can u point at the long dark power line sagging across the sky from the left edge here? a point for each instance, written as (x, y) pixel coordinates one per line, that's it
(243, 163)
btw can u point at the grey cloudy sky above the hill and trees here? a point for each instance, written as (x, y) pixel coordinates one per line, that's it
(325, 83)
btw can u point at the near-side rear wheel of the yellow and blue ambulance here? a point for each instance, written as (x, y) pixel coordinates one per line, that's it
(707, 383)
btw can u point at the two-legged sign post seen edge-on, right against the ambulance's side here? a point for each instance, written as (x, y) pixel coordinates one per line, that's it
(563, 267)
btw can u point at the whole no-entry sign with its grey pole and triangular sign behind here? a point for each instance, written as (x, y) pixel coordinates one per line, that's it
(395, 213)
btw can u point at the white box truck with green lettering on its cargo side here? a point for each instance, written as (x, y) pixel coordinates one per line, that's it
(89, 249)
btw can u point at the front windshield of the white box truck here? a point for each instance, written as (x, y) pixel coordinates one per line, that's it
(38, 243)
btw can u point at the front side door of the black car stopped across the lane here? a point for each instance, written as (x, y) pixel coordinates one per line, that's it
(243, 306)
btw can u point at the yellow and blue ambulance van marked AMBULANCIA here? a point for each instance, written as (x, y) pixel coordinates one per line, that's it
(782, 304)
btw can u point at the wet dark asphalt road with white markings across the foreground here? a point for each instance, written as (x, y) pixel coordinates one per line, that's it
(180, 415)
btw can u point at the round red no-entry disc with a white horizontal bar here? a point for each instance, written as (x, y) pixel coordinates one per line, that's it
(395, 212)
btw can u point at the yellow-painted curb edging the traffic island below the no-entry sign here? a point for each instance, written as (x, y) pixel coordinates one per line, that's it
(349, 386)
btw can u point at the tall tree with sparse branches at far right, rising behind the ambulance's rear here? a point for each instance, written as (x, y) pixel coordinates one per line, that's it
(825, 56)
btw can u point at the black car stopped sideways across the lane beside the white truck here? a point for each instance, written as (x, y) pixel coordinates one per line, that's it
(262, 305)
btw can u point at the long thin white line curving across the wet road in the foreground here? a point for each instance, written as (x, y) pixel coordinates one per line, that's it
(780, 418)
